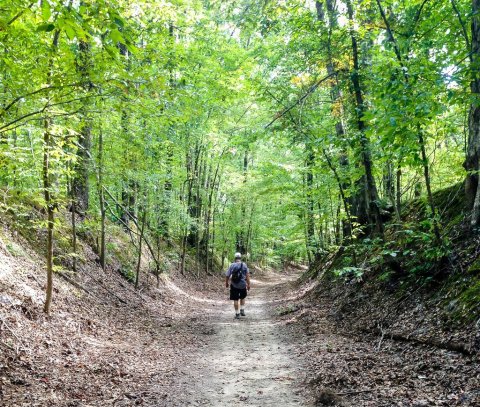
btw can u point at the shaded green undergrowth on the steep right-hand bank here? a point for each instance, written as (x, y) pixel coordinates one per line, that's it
(411, 258)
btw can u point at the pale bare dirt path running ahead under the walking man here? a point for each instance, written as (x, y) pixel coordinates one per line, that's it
(248, 362)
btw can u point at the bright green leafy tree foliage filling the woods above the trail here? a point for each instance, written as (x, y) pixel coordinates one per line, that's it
(233, 125)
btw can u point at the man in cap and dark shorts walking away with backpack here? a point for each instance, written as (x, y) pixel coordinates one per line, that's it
(239, 278)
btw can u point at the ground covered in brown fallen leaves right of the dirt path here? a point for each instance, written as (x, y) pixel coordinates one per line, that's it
(348, 366)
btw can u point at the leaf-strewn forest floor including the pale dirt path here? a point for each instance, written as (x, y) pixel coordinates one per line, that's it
(180, 346)
